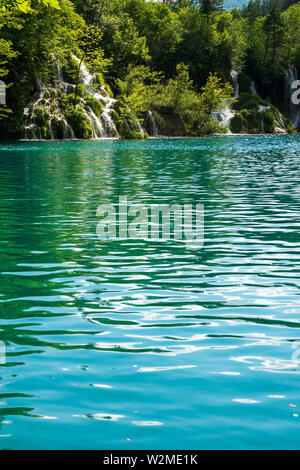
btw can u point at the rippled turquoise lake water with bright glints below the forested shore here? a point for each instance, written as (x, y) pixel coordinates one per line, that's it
(135, 344)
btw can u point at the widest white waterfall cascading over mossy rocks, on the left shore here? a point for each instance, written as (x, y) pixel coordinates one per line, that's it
(46, 106)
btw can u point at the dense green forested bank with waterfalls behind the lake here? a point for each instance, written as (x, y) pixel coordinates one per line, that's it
(133, 68)
